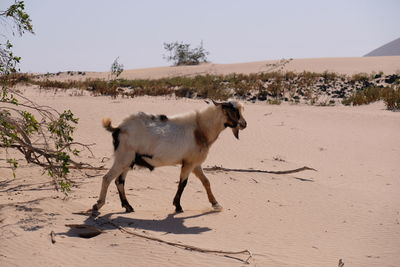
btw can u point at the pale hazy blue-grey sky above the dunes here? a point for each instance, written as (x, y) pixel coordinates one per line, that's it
(89, 34)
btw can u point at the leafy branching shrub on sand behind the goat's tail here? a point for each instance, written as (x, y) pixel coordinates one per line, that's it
(42, 135)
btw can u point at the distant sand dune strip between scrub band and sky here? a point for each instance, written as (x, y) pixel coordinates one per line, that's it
(349, 66)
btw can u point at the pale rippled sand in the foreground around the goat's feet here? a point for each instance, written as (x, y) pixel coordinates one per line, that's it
(348, 209)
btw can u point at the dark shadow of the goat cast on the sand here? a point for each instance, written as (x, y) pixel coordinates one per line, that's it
(171, 224)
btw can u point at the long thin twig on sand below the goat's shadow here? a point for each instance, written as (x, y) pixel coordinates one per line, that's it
(184, 246)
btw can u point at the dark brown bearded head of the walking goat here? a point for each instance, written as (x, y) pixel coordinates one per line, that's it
(233, 114)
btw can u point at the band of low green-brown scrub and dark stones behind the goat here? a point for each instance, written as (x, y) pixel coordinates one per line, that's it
(320, 89)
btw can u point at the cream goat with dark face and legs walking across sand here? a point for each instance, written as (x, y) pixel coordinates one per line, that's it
(153, 141)
